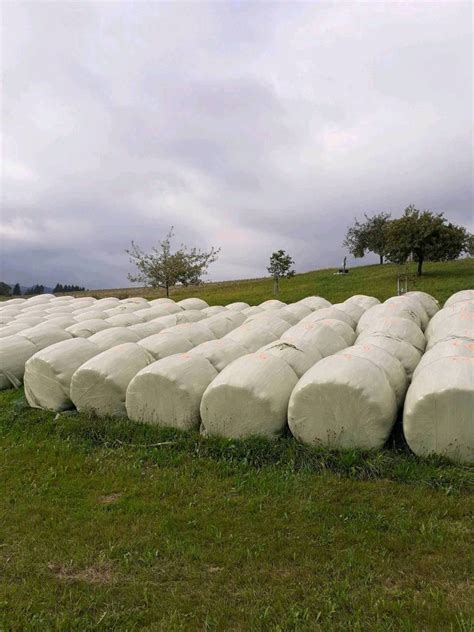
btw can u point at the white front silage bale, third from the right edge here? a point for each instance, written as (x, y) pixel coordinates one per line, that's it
(249, 397)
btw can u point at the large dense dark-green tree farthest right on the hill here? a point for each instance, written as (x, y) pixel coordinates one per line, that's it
(425, 236)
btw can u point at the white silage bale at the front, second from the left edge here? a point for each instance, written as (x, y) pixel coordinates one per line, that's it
(48, 373)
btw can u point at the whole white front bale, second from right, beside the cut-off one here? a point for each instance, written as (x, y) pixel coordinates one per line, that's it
(343, 402)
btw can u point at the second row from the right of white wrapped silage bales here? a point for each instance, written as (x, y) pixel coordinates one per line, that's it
(351, 399)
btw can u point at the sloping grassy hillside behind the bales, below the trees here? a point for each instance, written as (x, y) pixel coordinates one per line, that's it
(439, 279)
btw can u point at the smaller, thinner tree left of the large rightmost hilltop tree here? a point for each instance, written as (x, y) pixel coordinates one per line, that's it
(368, 236)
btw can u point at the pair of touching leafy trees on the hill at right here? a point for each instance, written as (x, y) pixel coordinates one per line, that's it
(417, 236)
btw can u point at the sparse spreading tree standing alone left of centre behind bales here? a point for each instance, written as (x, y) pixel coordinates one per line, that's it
(164, 268)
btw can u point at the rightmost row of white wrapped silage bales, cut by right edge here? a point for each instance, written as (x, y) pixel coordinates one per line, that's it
(438, 416)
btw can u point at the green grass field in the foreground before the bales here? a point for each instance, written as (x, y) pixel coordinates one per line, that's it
(103, 529)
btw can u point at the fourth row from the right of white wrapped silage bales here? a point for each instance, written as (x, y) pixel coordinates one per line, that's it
(169, 391)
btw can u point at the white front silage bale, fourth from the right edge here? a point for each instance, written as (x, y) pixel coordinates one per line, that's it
(169, 392)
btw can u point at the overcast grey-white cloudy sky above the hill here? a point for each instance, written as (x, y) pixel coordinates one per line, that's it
(250, 126)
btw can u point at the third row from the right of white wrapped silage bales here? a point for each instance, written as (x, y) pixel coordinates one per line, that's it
(250, 396)
